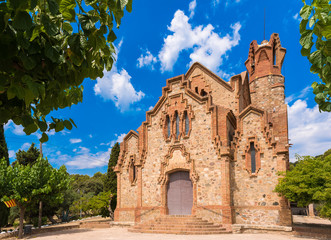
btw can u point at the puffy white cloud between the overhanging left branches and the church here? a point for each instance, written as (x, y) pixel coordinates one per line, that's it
(116, 85)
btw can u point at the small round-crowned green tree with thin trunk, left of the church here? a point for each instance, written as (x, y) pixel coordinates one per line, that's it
(30, 183)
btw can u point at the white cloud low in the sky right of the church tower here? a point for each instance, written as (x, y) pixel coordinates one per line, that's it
(309, 130)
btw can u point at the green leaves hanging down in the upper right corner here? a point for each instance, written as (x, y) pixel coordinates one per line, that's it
(316, 46)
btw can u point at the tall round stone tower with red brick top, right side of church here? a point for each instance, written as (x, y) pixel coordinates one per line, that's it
(267, 90)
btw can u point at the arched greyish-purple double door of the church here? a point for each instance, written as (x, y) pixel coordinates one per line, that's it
(180, 193)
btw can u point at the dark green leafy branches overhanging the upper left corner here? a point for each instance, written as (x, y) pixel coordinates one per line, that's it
(48, 47)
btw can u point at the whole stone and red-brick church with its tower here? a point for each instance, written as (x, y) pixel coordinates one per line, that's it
(211, 148)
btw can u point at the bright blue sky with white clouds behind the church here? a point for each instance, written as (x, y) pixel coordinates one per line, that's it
(159, 40)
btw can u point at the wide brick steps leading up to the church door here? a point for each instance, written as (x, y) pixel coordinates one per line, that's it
(179, 224)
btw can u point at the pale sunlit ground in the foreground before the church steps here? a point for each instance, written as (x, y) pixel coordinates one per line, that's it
(123, 234)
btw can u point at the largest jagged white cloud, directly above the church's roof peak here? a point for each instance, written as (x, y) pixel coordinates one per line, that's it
(206, 46)
